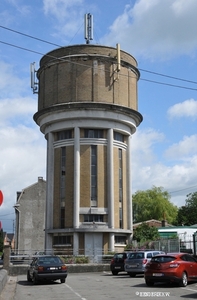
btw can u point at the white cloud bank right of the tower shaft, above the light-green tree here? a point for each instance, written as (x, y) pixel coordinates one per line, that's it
(149, 169)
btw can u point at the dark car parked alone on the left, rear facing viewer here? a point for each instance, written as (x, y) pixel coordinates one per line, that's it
(47, 267)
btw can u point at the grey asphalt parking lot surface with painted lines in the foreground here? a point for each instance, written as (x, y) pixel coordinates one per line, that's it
(94, 286)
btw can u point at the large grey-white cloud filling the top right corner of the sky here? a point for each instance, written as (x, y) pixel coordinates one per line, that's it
(156, 29)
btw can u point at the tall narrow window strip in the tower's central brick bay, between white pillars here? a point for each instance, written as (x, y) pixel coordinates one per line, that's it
(93, 175)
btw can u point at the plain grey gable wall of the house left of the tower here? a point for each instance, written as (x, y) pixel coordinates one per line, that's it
(30, 218)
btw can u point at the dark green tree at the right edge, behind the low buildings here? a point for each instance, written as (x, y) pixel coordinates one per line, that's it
(187, 215)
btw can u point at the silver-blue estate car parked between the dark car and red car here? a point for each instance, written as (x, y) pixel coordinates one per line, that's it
(136, 261)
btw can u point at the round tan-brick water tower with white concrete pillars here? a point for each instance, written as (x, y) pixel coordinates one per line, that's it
(88, 111)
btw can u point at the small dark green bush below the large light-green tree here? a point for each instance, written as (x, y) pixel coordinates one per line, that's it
(144, 232)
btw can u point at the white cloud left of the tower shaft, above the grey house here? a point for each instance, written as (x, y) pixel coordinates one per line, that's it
(22, 157)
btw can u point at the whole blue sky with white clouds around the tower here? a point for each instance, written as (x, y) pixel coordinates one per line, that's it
(161, 35)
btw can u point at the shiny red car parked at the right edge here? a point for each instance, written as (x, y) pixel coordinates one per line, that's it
(172, 267)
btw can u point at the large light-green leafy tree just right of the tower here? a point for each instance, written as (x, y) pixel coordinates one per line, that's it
(153, 204)
